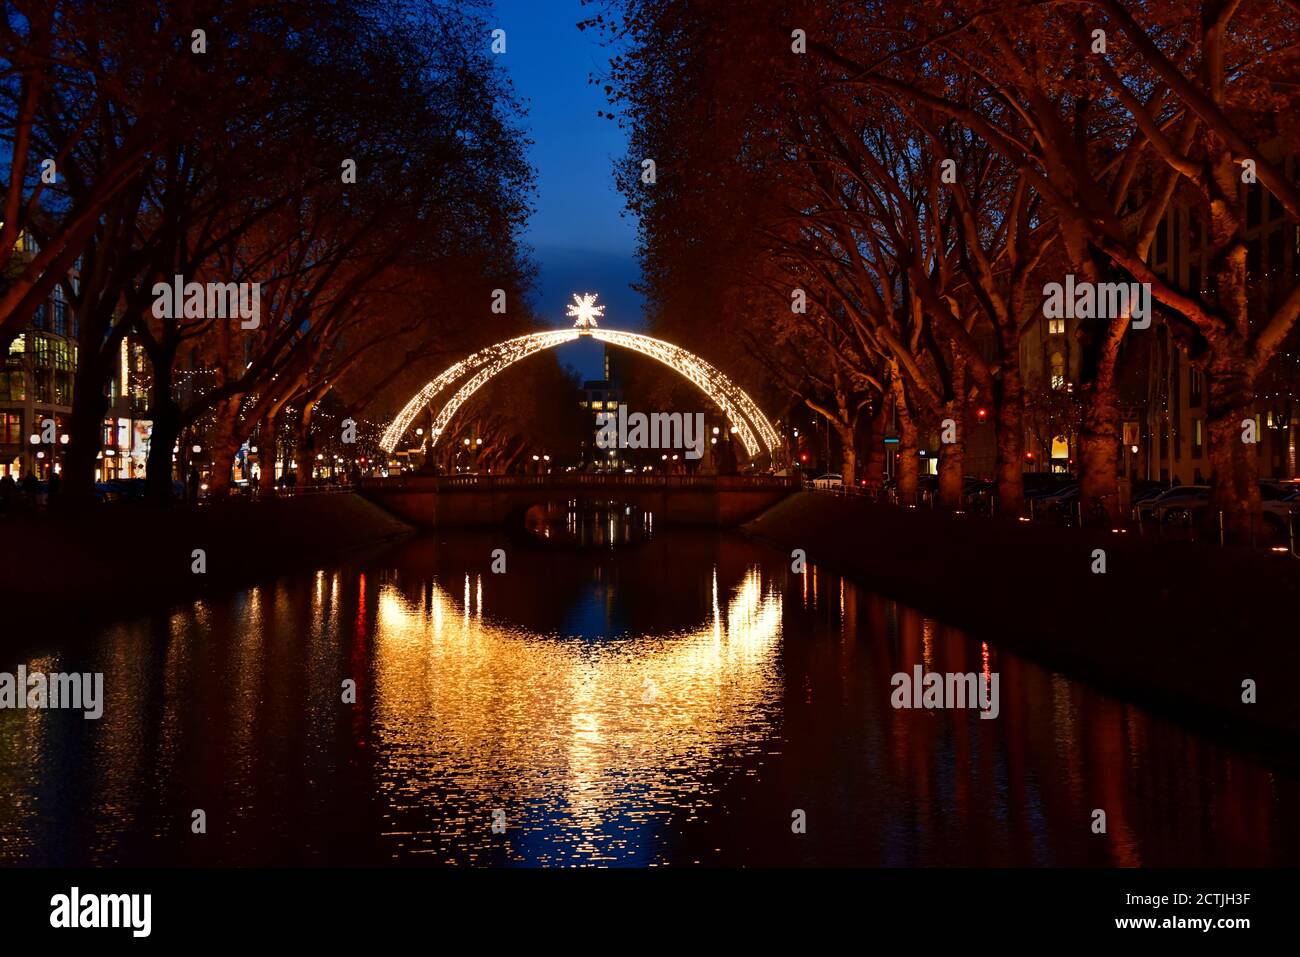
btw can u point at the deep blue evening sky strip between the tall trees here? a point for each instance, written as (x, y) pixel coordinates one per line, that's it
(580, 240)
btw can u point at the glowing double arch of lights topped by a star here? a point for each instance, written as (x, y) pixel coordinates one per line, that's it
(749, 423)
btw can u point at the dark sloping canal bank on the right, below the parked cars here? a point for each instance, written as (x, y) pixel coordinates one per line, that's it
(1173, 626)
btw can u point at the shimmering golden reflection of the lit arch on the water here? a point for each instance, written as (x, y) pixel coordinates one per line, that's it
(566, 726)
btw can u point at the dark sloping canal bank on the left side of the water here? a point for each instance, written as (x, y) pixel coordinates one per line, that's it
(120, 558)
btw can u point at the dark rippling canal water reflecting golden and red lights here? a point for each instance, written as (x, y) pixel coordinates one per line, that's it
(610, 695)
